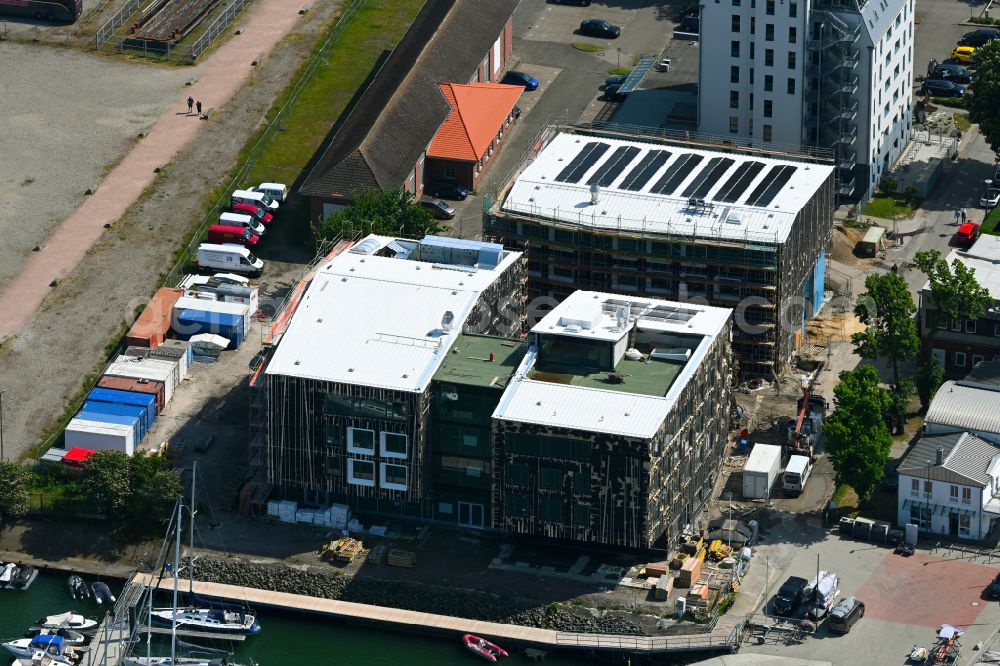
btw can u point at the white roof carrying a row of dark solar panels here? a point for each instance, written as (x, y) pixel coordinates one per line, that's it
(544, 189)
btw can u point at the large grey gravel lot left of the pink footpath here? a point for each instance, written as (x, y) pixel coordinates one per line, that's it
(64, 117)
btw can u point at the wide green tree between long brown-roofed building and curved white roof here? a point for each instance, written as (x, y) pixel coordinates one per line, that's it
(373, 211)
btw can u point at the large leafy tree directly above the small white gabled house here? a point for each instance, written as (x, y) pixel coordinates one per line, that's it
(857, 438)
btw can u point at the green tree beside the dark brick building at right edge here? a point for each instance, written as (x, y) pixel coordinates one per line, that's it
(954, 290)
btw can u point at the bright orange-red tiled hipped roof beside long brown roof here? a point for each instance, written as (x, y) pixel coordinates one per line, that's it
(478, 111)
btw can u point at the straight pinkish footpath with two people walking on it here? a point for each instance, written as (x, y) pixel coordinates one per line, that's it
(219, 77)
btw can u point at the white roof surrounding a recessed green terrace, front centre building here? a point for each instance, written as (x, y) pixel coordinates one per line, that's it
(604, 410)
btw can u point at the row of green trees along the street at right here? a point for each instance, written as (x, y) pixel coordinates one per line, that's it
(858, 436)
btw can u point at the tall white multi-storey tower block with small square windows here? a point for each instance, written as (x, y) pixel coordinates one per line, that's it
(823, 74)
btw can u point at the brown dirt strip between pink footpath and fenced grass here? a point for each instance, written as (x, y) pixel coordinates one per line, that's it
(43, 366)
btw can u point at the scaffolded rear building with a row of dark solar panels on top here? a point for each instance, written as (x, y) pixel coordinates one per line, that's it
(679, 218)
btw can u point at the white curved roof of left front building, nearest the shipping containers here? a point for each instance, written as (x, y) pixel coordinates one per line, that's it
(377, 321)
